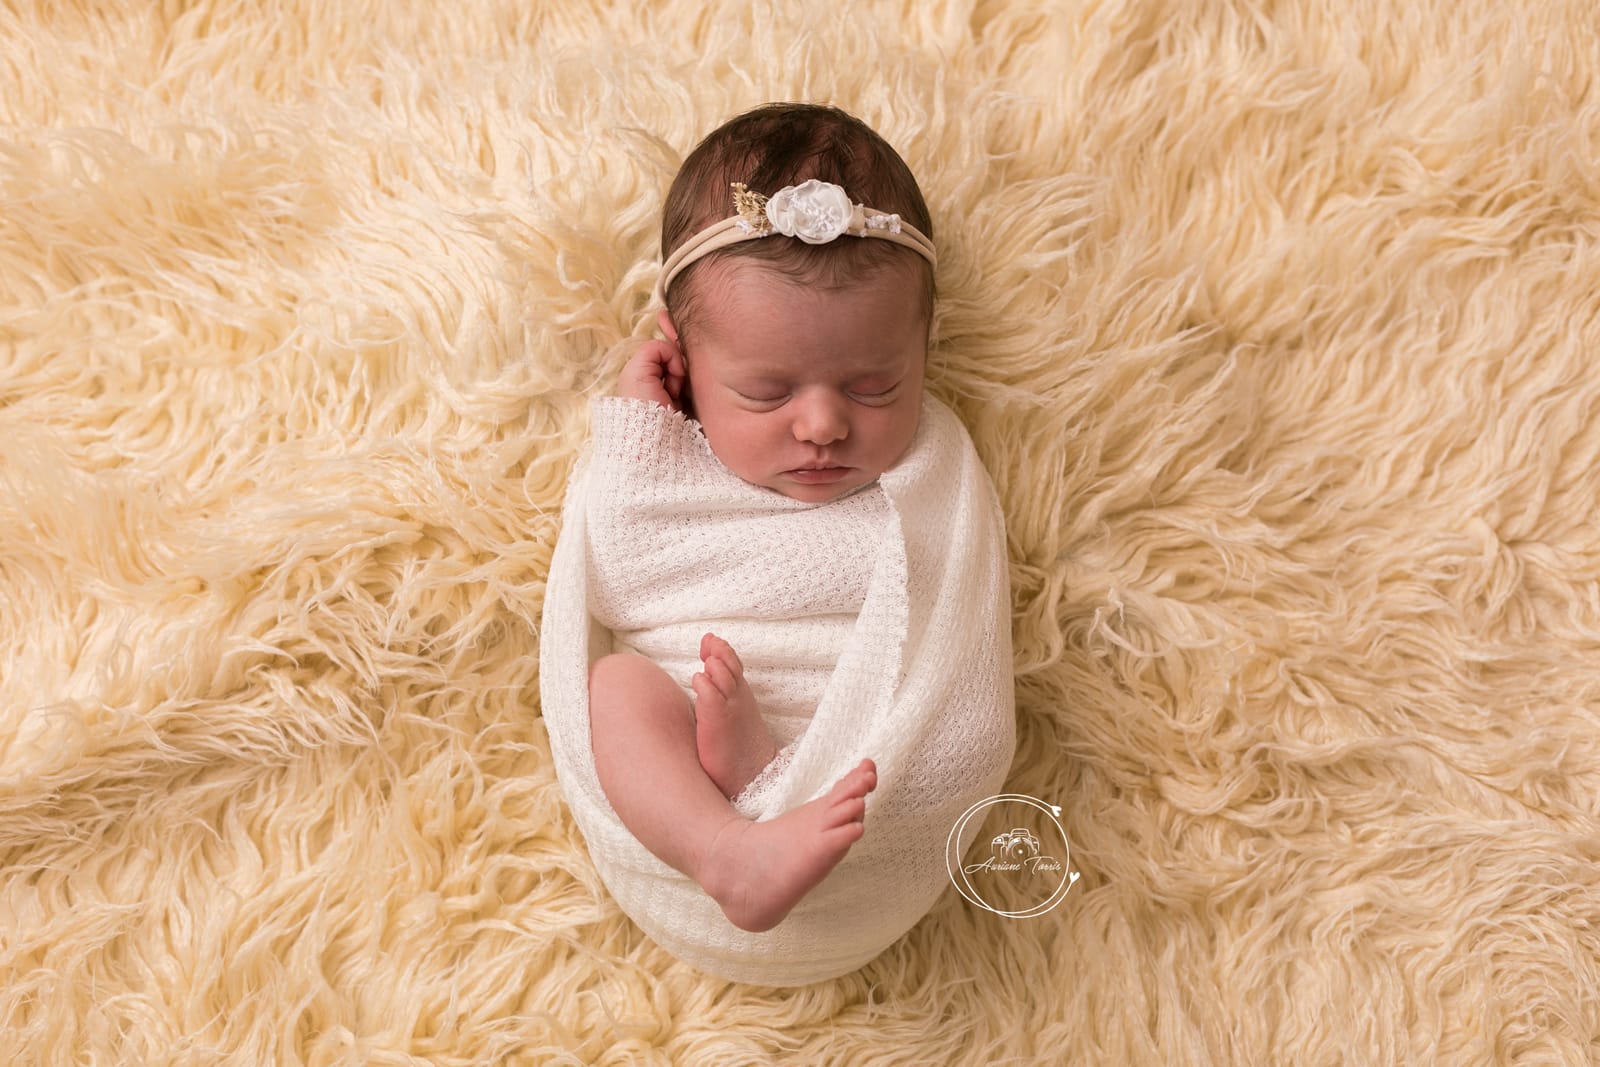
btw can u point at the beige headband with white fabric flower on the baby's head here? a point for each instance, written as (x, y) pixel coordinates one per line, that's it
(817, 212)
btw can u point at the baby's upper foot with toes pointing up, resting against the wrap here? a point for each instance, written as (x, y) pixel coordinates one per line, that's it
(732, 740)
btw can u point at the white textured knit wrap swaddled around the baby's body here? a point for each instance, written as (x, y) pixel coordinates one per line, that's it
(887, 612)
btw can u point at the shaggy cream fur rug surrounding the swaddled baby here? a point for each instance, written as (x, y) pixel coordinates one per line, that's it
(1278, 326)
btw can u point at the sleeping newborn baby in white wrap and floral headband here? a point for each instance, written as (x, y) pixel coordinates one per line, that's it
(793, 572)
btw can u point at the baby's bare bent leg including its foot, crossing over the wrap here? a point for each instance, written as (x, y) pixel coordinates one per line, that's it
(649, 764)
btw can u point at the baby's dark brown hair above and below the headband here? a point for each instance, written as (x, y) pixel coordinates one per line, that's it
(785, 145)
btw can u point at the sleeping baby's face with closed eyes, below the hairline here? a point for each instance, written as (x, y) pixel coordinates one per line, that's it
(809, 391)
